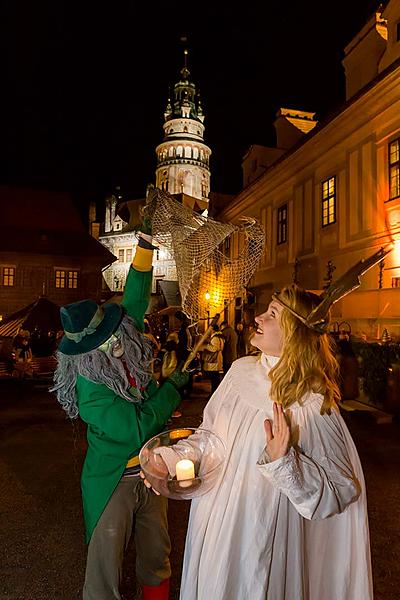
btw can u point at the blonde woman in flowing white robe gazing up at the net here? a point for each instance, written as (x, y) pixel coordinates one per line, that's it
(287, 520)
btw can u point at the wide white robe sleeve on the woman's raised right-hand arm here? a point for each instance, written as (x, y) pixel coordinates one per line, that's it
(316, 475)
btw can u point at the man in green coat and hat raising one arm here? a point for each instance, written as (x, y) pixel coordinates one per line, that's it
(104, 376)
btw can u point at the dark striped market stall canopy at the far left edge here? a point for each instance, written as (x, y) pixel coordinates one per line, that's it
(43, 314)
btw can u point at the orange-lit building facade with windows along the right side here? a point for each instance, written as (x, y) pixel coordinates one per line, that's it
(329, 194)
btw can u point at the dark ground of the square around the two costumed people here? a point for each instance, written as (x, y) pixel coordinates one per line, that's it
(42, 552)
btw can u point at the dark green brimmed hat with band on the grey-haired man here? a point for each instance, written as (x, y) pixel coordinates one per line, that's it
(87, 325)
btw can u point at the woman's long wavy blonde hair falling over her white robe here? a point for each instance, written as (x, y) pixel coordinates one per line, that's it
(307, 362)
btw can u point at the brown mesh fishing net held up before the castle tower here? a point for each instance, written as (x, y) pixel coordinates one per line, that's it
(201, 247)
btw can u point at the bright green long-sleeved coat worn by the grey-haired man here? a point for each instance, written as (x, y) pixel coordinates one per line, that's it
(116, 428)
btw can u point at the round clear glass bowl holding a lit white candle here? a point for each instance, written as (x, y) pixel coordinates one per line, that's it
(183, 481)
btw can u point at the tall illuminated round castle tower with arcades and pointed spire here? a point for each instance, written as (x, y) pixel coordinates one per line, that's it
(183, 157)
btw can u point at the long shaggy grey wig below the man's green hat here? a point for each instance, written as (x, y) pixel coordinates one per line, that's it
(100, 367)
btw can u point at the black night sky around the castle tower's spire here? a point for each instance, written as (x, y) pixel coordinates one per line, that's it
(85, 84)
